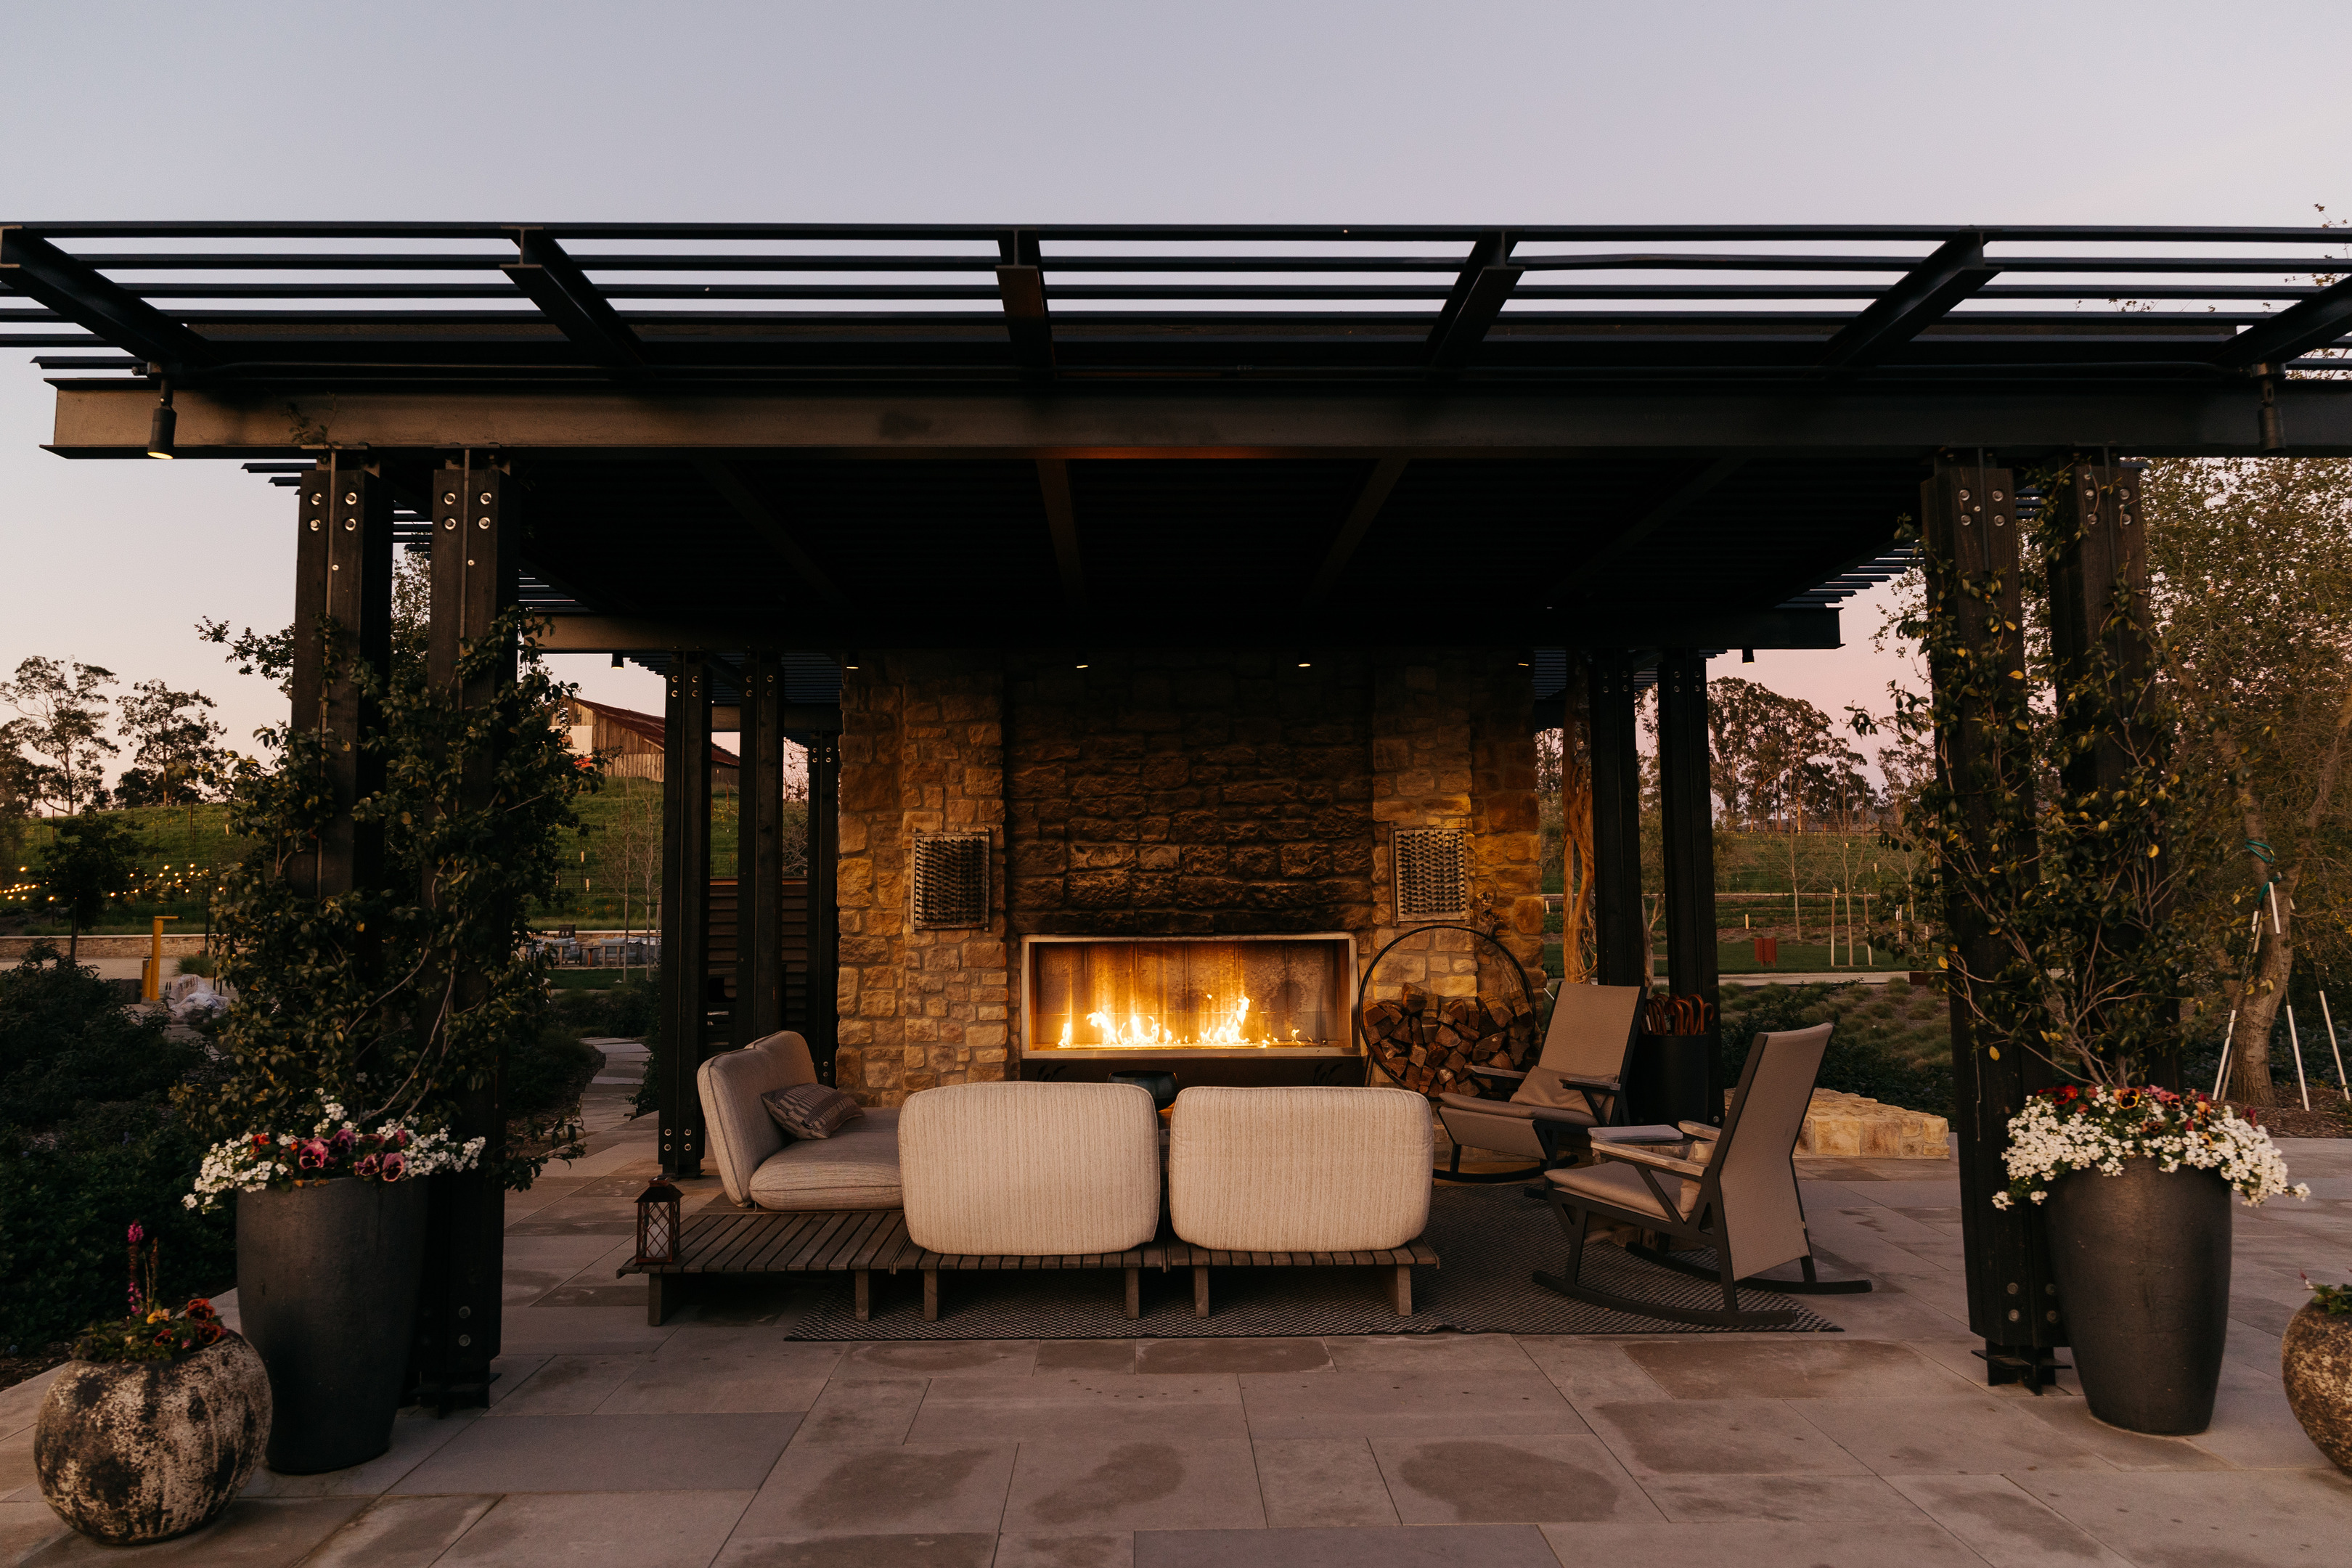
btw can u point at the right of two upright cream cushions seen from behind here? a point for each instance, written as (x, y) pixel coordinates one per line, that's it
(1299, 1170)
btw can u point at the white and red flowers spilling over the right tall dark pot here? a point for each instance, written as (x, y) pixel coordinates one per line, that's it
(2099, 1130)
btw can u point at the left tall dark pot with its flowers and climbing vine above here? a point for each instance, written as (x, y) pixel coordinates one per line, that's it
(373, 1021)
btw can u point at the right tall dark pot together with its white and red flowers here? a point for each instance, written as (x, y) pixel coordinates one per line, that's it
(2137, 1188)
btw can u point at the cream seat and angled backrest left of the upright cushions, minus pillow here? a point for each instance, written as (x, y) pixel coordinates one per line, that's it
(761, 1167)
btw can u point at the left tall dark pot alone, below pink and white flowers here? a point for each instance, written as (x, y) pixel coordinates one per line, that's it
(328, 1296)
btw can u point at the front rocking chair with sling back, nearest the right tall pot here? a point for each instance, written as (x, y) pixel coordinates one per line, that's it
(1730, 1191)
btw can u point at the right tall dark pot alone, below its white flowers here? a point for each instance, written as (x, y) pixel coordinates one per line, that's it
(2144, 1278)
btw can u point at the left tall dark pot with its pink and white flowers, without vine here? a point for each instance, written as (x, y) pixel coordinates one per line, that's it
(330, 1252)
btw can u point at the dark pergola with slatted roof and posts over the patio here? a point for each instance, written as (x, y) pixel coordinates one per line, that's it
(740, 453)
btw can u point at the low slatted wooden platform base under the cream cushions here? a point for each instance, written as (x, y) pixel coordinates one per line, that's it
(860, 1242)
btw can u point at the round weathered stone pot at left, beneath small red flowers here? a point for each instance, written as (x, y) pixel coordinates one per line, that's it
(138, 1452)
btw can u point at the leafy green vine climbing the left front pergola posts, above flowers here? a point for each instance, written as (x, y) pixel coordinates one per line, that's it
(401, 998)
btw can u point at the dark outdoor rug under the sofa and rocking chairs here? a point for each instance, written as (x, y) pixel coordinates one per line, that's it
(1490, 1240)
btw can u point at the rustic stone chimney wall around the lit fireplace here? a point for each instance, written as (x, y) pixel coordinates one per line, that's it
(1161, 793)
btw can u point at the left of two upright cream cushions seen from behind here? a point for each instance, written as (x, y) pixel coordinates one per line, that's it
(1031, 1170)
